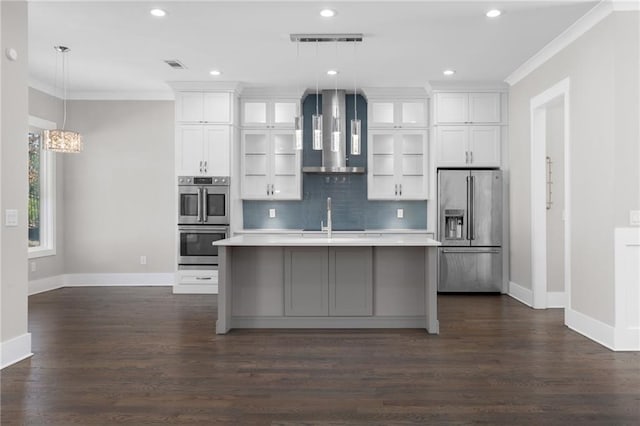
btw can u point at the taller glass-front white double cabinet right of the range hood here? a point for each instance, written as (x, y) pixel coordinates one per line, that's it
(398, 165)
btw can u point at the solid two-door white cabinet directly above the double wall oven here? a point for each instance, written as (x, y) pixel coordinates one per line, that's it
(202, 150)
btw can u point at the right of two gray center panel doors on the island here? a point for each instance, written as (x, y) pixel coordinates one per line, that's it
(350, 281)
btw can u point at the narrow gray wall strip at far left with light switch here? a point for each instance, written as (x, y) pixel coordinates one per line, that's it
(13, 169)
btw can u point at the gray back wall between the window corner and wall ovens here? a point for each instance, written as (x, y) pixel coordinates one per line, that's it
(119, 192)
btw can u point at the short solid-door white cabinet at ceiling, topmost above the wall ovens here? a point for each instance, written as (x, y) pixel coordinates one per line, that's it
(203, 107)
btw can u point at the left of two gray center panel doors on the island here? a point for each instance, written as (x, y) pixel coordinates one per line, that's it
(306, 281)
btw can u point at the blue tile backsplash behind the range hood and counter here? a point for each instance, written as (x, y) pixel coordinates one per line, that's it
(348, 192)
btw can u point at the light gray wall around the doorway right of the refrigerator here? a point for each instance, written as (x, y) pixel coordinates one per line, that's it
(603, 68)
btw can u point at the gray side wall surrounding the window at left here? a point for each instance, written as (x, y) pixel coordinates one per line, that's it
(49, 108)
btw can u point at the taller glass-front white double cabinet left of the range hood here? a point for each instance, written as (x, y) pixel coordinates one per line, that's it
(271, 166)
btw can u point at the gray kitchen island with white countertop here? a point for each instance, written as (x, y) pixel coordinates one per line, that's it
(365, 280)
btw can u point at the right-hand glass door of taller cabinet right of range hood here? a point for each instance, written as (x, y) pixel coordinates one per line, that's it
(412, 161)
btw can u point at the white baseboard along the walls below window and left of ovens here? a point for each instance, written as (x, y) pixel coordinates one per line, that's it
(102, 280)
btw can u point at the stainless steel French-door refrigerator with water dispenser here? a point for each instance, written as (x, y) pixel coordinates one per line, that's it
(470, 229)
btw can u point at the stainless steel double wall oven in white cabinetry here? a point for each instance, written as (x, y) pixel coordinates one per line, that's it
(203, 218)
